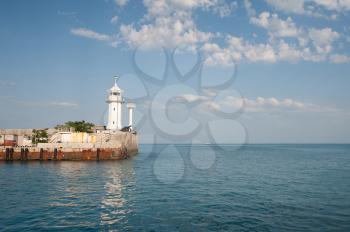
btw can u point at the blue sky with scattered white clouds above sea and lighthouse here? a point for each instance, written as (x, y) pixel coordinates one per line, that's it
(267, 71)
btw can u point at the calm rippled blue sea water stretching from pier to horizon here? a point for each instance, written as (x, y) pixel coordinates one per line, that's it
(254, 188)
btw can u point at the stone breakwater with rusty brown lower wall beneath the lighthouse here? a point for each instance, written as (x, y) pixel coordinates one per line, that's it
(108, 147)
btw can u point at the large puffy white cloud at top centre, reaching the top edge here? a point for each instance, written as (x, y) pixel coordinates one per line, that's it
(170, 25)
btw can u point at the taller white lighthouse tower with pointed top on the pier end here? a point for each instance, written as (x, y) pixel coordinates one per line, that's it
(115, 101)
